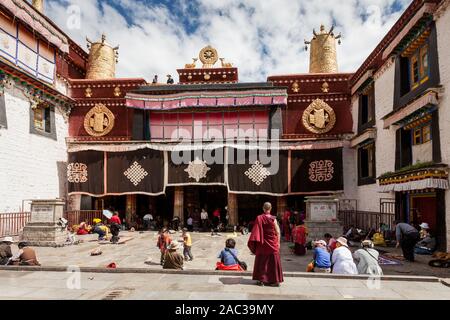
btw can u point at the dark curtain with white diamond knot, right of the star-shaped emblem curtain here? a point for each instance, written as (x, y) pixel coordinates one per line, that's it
(250, 171)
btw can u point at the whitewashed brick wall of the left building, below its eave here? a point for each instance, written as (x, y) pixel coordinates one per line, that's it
(29, 162)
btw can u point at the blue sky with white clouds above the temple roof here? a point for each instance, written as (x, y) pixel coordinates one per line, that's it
(260, 37)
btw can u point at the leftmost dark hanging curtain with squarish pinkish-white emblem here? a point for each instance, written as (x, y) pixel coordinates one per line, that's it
(85, 173)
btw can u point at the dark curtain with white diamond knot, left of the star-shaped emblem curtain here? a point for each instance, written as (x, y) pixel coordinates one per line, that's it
(140, 171)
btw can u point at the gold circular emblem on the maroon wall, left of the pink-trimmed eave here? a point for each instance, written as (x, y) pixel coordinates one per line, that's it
(99, 121)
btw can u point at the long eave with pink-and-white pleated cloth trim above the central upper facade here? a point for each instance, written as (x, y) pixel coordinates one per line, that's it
(195, 96)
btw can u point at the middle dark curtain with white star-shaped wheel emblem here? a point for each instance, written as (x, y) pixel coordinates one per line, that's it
(180, 168)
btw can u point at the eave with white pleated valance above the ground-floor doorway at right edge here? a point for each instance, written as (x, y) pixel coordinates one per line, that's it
(427, 177)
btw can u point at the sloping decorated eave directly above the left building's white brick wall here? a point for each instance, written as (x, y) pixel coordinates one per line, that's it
(34, 87)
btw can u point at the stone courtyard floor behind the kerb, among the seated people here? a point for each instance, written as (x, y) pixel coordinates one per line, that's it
(135, 252)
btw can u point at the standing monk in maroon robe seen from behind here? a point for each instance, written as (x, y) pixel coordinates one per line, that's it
(264, 242)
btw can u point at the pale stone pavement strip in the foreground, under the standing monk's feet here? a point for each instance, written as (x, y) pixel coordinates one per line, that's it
(157, 286)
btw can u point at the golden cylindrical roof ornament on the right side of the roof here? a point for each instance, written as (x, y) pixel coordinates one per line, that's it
(323, 57)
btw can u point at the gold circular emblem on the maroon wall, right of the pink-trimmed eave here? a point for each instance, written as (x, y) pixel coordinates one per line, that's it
(319, 117)
